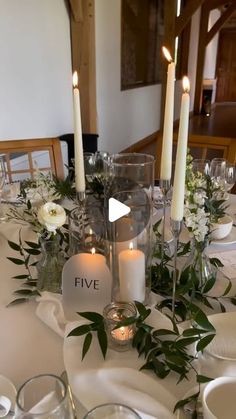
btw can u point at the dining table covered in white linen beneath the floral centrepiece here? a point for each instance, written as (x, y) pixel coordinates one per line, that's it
(31, 345)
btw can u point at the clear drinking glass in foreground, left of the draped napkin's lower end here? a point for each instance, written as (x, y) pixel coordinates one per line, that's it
(43, 396)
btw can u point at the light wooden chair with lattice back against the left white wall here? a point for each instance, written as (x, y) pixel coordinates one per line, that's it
(24, 157)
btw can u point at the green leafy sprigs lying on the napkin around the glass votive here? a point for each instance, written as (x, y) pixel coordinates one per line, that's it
(164, 350)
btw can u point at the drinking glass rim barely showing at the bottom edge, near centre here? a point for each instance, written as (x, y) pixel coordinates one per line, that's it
(112, 410)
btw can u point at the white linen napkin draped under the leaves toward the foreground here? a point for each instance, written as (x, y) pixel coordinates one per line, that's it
(117, 379)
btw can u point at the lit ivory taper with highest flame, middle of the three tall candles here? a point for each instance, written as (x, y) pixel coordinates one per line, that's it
(167, 141)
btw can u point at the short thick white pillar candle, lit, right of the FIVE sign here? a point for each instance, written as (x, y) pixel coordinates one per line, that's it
(132, 275)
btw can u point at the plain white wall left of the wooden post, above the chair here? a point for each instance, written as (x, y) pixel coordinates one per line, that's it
(35, 71)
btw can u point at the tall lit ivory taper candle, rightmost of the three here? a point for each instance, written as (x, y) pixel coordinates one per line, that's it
(177, 205)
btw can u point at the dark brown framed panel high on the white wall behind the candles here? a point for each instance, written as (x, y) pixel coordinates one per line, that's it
(142, 34)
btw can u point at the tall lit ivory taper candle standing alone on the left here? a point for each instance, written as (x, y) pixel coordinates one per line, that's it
(78, 143)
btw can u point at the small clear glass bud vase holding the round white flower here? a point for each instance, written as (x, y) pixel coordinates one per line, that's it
(50, 265)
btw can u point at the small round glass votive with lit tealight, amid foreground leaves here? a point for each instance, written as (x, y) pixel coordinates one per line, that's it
(119, 339)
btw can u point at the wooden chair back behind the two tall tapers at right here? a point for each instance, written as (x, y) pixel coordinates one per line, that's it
(202, 147)
